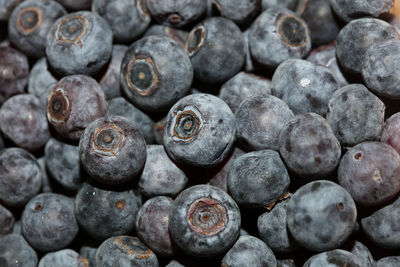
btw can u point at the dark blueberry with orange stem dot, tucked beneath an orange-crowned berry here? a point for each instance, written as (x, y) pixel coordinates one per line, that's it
(116, 216)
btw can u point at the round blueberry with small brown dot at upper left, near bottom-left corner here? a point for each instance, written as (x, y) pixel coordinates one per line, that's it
(48, 222)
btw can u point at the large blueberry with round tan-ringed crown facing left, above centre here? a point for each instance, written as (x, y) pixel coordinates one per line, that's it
(155, 73)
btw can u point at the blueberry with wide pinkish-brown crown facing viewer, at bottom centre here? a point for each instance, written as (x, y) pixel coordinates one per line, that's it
(204, 221)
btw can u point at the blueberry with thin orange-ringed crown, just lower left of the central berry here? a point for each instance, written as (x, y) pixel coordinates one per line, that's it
(112, 150)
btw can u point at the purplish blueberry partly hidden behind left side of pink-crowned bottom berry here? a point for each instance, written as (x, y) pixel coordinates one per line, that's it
(152, 226)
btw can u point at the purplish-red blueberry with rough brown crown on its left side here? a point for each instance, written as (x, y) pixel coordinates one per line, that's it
(73, 103)
